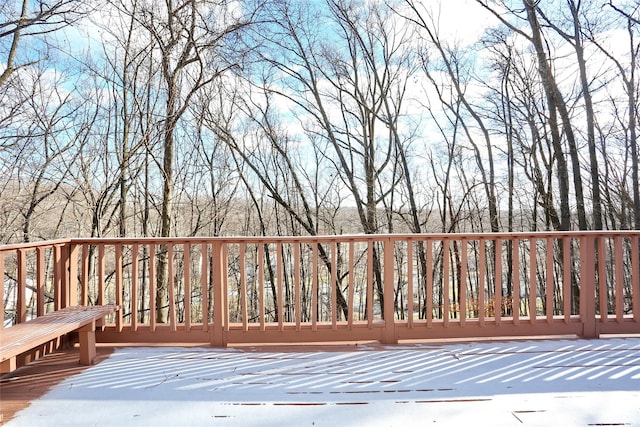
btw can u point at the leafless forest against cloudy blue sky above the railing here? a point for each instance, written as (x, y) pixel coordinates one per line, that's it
(188, 118)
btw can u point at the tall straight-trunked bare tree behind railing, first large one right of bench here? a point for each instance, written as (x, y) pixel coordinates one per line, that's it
(190, 36)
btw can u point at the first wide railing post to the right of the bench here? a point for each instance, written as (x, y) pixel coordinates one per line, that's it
(219, 269)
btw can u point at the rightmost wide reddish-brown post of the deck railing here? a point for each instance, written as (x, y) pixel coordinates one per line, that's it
(587, 287)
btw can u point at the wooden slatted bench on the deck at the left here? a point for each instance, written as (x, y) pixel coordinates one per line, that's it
(26, 336)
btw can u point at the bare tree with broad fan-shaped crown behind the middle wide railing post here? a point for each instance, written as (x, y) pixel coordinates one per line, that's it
(349, 94)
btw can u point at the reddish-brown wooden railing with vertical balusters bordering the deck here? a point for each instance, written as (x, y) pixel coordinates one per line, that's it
(335, 288)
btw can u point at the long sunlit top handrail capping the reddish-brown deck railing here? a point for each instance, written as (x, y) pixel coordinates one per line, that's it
(324, 238)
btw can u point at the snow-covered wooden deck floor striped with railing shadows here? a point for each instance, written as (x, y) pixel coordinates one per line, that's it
(568, 382)
